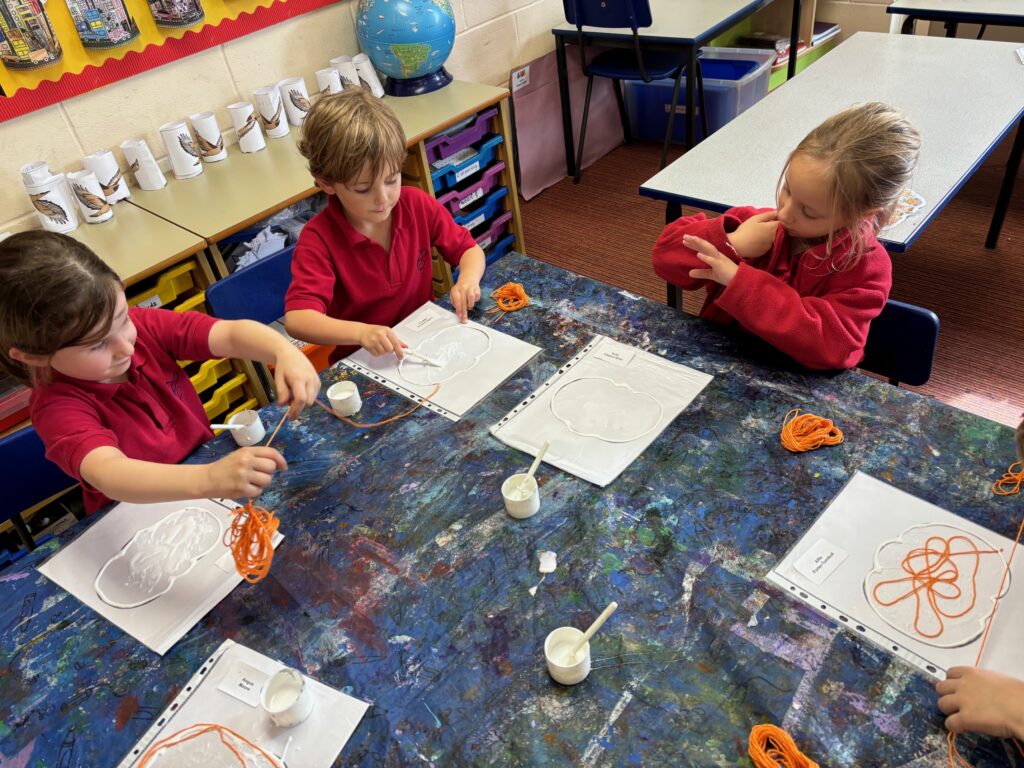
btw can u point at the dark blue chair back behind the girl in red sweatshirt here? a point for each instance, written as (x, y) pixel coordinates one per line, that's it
(902, 344)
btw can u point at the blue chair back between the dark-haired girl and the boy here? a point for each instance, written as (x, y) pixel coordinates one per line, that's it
(255, 292)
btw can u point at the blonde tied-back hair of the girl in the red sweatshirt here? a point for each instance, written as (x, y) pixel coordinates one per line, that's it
(871, 152)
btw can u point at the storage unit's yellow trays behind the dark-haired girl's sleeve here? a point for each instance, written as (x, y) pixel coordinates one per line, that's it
(225, 387)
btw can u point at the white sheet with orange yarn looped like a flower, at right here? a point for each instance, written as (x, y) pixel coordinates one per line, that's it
(915, 580)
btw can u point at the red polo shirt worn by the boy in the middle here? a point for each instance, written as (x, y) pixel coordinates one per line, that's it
(345, 275)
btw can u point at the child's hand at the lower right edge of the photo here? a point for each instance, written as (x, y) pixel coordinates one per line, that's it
(983, 702)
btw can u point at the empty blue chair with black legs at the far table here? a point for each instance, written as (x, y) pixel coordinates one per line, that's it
(619, 65)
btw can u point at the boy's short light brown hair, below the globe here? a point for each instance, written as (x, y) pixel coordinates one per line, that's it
(345, 132)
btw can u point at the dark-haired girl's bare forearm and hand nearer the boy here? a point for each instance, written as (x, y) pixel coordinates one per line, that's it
(295, 378)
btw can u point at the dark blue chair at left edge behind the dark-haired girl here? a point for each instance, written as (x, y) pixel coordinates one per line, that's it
(28, 478)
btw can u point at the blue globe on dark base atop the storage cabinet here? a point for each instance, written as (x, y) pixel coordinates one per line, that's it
(409, 41)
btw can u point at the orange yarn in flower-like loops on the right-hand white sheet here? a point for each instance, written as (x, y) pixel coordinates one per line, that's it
(932, 576)
